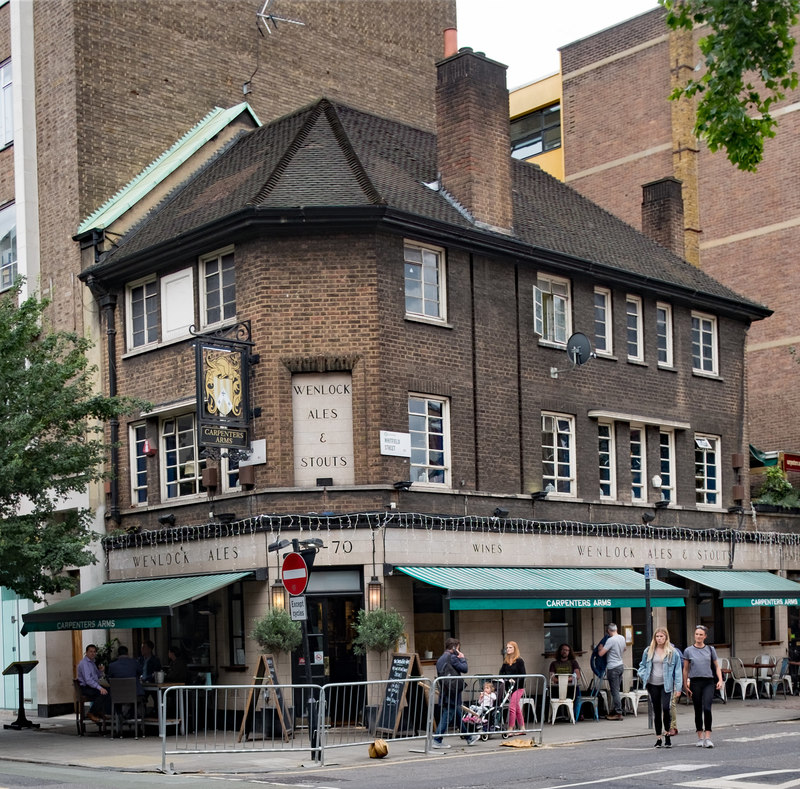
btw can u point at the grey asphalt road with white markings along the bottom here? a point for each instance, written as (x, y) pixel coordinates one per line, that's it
(758, 756)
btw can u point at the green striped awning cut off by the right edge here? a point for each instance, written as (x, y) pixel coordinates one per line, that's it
(746, 588)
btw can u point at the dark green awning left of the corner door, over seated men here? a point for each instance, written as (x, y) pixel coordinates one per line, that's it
(124, 604)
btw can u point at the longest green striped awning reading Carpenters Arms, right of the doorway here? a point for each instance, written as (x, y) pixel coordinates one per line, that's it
(494, 588)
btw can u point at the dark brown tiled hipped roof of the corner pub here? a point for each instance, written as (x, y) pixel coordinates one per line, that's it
(332, 156)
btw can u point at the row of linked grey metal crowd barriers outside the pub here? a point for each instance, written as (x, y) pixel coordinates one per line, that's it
(214, 719)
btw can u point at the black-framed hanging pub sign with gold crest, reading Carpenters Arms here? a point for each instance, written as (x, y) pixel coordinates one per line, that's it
(223, 396)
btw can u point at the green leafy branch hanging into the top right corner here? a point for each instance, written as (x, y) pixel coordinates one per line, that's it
(748, 66)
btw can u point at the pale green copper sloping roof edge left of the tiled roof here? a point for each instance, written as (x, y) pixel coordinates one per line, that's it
(164, 165)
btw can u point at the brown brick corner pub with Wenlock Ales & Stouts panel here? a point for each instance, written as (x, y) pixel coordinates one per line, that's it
(417, 402)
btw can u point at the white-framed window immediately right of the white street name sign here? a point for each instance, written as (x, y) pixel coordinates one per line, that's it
(428, 424)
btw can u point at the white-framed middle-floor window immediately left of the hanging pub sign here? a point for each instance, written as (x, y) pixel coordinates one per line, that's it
(182, 465)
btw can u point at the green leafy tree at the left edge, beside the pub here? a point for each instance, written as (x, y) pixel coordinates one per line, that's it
(51, 447)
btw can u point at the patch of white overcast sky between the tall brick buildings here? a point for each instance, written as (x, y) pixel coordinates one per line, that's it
(526, 34)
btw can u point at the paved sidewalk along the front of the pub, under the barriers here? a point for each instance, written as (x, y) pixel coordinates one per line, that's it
(57, 742)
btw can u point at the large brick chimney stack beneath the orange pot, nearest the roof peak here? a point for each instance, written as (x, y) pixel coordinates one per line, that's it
(474, 145)
